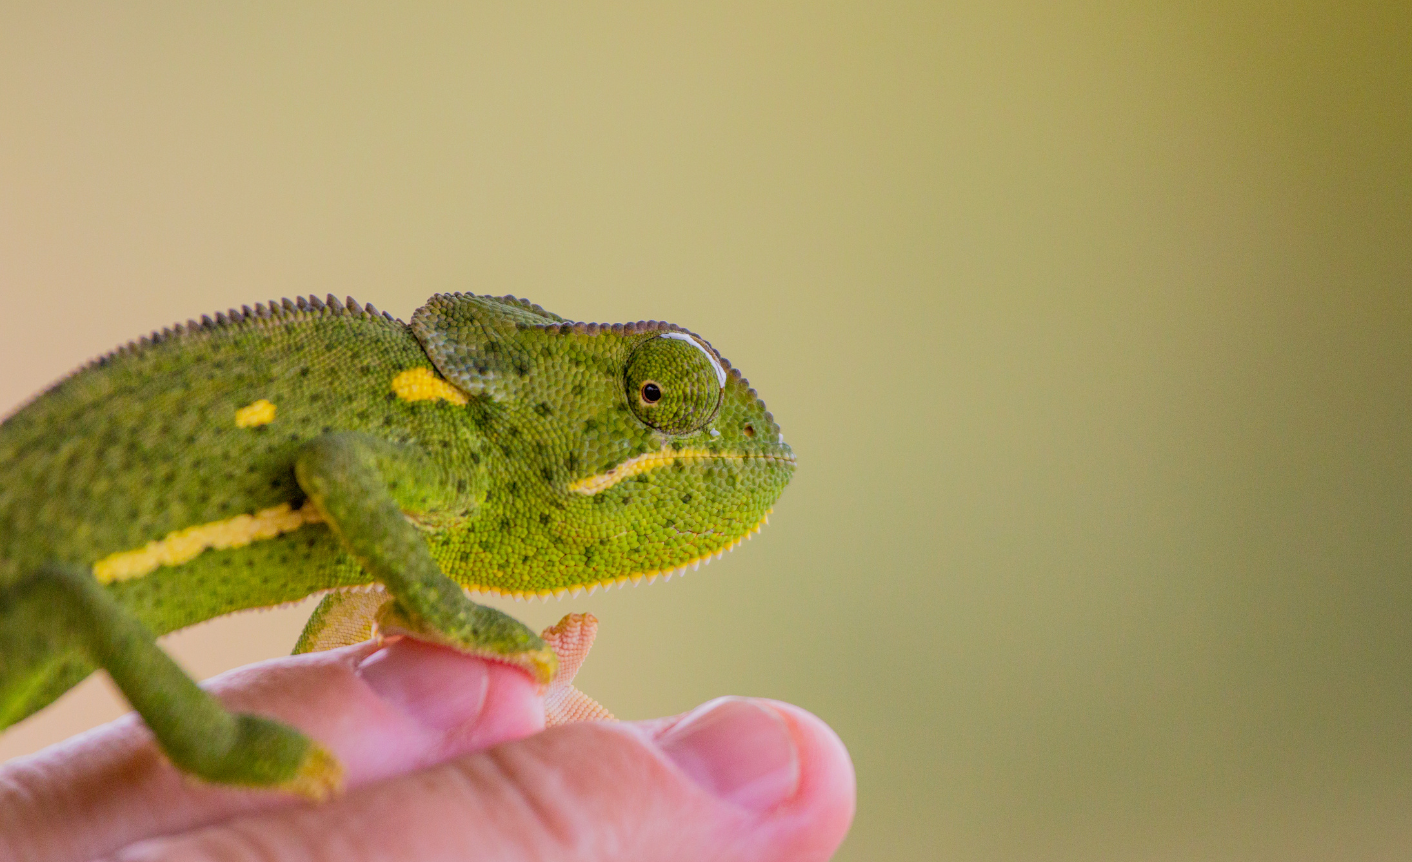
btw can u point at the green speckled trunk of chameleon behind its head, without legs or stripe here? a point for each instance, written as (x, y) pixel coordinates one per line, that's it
(145, 443)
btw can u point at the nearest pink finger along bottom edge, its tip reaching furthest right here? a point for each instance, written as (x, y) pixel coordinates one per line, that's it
(738, 779)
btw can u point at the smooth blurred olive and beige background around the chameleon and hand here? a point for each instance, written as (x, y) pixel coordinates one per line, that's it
(1091, 324)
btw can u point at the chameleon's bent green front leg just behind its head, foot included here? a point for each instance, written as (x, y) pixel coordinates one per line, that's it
(365, 488)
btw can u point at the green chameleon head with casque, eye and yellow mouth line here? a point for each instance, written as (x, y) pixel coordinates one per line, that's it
(622, 451)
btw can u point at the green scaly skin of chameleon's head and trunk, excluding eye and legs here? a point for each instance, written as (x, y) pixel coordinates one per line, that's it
(145, 443)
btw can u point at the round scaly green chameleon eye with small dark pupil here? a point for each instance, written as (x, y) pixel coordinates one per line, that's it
(674, 384)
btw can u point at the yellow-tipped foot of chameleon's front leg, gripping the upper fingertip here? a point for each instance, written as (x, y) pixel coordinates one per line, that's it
(484, 632)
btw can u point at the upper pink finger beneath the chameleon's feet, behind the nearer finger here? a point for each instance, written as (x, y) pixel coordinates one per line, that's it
(382, 712)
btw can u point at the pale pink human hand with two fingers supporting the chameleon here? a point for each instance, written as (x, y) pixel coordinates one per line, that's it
(445, 762)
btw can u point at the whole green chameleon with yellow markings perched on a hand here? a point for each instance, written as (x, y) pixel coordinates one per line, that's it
(296, 449)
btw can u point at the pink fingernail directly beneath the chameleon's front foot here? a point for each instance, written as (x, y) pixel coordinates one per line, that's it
(437, 687)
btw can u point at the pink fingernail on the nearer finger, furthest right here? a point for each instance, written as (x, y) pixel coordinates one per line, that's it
(739, 750)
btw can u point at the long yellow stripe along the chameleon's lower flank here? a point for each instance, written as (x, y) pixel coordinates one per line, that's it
(187, 545)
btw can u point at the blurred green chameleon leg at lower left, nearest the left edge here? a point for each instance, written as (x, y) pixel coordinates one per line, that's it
(60, 611)
